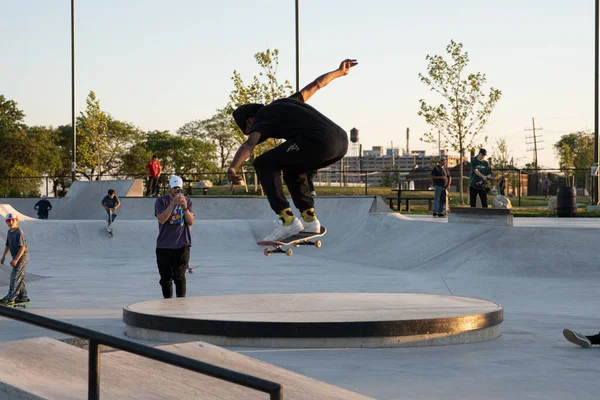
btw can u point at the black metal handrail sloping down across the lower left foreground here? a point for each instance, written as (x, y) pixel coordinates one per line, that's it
(97, 338)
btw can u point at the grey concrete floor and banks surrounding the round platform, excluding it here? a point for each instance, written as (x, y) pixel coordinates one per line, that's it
(543, 271)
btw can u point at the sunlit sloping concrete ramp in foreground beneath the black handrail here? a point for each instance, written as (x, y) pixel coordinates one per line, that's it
(49, 369)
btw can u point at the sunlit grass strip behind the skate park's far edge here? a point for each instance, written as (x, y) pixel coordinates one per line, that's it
(531, 206)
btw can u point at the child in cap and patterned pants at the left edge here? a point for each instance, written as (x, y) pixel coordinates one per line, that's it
(16, 243)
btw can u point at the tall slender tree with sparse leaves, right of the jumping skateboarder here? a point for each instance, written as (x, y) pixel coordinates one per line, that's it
(465, 108)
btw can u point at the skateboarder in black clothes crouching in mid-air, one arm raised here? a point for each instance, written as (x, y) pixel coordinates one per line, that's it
(312, 141)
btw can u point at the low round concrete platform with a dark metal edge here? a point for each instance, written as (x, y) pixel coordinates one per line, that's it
(330, 320)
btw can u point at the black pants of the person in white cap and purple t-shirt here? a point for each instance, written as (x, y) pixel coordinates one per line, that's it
(172, 265)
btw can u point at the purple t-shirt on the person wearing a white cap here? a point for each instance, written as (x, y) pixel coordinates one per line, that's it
(175, 233)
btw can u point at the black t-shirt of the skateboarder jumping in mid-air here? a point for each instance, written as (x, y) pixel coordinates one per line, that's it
(291, 117)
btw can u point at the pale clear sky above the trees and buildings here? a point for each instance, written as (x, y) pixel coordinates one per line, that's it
(159, 65)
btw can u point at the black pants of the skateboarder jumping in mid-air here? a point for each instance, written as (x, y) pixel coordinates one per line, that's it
(296, 158)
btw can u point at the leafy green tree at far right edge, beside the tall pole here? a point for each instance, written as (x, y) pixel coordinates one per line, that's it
(576, 150)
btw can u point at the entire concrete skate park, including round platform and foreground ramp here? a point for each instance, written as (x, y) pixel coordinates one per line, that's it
(390, 307)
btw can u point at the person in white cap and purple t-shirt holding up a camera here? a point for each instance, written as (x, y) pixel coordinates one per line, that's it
(175, 219)
